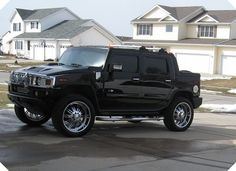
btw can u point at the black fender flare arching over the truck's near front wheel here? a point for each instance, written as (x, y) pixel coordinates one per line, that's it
(85, 91)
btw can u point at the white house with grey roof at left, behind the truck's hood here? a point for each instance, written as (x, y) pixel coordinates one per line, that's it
(43, 34)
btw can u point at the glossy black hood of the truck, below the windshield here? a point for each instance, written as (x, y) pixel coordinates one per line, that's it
(55, 69)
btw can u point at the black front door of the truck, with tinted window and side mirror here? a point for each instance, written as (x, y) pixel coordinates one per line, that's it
(121, 84)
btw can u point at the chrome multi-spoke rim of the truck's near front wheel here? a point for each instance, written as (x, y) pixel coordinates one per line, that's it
(76, 116)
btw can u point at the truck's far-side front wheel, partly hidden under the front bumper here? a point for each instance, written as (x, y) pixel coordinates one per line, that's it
(29, 118)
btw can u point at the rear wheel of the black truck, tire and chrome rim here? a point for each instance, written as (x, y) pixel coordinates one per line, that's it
(179, 115)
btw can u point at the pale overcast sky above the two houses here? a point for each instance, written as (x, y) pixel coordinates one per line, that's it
(114, 15)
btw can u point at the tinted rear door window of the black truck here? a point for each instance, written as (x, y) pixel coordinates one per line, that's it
(155, 65)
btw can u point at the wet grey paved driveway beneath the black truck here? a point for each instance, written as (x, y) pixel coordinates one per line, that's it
(209, 145)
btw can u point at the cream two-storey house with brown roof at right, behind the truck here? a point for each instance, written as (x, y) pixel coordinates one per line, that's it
(202, 40)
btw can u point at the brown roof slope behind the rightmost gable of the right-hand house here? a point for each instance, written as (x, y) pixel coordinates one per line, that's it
(223, 16)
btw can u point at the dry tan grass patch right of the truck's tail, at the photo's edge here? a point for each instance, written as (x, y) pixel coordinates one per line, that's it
(221, 85)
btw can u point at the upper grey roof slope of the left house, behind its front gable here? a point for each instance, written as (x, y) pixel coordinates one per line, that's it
(36, 14)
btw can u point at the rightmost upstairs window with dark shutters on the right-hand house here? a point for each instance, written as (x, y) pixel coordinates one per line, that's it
(207, 31)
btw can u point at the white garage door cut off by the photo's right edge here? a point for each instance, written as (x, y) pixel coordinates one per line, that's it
(228, 65)
